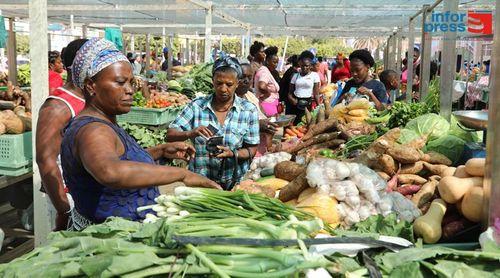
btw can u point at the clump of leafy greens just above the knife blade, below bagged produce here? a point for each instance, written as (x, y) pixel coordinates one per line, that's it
(387, 226)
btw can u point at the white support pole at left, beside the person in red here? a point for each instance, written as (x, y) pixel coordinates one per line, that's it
(39, 91)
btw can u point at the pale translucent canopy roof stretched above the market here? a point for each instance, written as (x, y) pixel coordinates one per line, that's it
(261, 17)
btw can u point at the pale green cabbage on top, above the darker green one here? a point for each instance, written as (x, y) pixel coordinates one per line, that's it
(431, 125)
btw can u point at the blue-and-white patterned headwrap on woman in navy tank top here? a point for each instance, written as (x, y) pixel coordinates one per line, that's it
(95, 55)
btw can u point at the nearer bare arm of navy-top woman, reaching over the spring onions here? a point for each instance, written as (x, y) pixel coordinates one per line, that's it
(99, 150)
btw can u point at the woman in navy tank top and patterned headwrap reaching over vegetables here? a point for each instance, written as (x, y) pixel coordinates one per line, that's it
(106, 171)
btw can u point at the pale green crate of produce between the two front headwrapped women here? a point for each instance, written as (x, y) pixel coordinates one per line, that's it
(150, 116)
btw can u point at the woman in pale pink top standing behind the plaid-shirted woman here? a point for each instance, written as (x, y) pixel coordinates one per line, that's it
(266, 87)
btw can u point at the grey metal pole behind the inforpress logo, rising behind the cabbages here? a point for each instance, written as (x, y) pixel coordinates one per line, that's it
(448, 64)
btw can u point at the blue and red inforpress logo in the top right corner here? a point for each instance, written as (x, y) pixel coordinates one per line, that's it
(476, 22)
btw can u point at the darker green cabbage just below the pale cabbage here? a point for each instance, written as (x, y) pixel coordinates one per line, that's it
(448, 145)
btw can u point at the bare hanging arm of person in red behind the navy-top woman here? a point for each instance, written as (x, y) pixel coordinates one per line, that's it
(52, 118)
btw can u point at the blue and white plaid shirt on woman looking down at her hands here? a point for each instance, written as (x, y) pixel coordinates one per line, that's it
(240, 127)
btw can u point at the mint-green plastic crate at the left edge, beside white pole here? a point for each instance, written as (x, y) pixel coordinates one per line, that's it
(16, 150)
